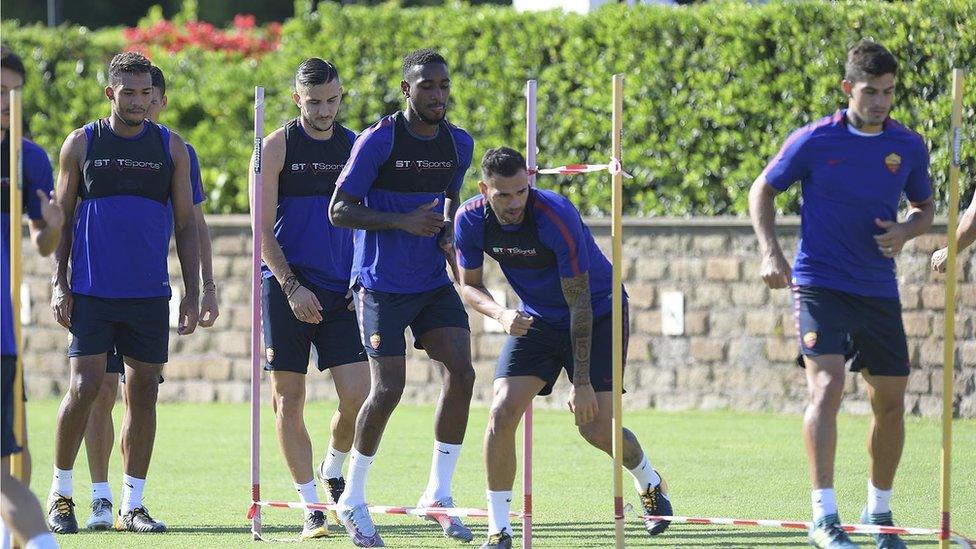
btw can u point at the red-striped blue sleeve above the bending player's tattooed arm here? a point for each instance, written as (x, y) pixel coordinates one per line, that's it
(561, 228)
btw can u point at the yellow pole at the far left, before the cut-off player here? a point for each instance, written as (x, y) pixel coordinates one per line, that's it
(16, 137)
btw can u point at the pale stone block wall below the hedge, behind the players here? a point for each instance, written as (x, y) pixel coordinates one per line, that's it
(736, 348)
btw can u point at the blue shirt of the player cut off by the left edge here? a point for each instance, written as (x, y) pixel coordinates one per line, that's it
(37, 176)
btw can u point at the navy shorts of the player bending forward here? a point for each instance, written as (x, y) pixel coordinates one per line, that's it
(545, 350)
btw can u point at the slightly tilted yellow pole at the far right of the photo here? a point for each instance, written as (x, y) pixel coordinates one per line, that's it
(949, 344)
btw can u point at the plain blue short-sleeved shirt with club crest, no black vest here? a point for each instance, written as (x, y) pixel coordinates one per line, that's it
(847, 181)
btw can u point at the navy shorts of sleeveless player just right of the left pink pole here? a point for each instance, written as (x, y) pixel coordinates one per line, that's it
(288, 341)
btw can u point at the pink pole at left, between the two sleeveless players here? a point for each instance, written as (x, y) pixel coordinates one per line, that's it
(256, 204)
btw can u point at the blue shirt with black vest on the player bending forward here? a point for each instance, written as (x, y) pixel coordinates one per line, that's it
(552, 242)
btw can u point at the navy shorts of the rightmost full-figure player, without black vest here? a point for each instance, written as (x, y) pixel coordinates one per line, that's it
(867, 331)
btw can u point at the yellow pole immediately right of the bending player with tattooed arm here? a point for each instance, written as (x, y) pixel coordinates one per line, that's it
(616, 235)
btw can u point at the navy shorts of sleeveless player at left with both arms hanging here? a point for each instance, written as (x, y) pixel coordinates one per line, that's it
(137, 327)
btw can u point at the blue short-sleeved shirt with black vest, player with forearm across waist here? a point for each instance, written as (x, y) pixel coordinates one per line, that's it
(392, 170)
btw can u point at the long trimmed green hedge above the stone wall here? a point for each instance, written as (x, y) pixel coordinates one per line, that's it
(711, 92)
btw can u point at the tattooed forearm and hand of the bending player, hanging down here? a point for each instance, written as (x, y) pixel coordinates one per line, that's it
(582, 400)
